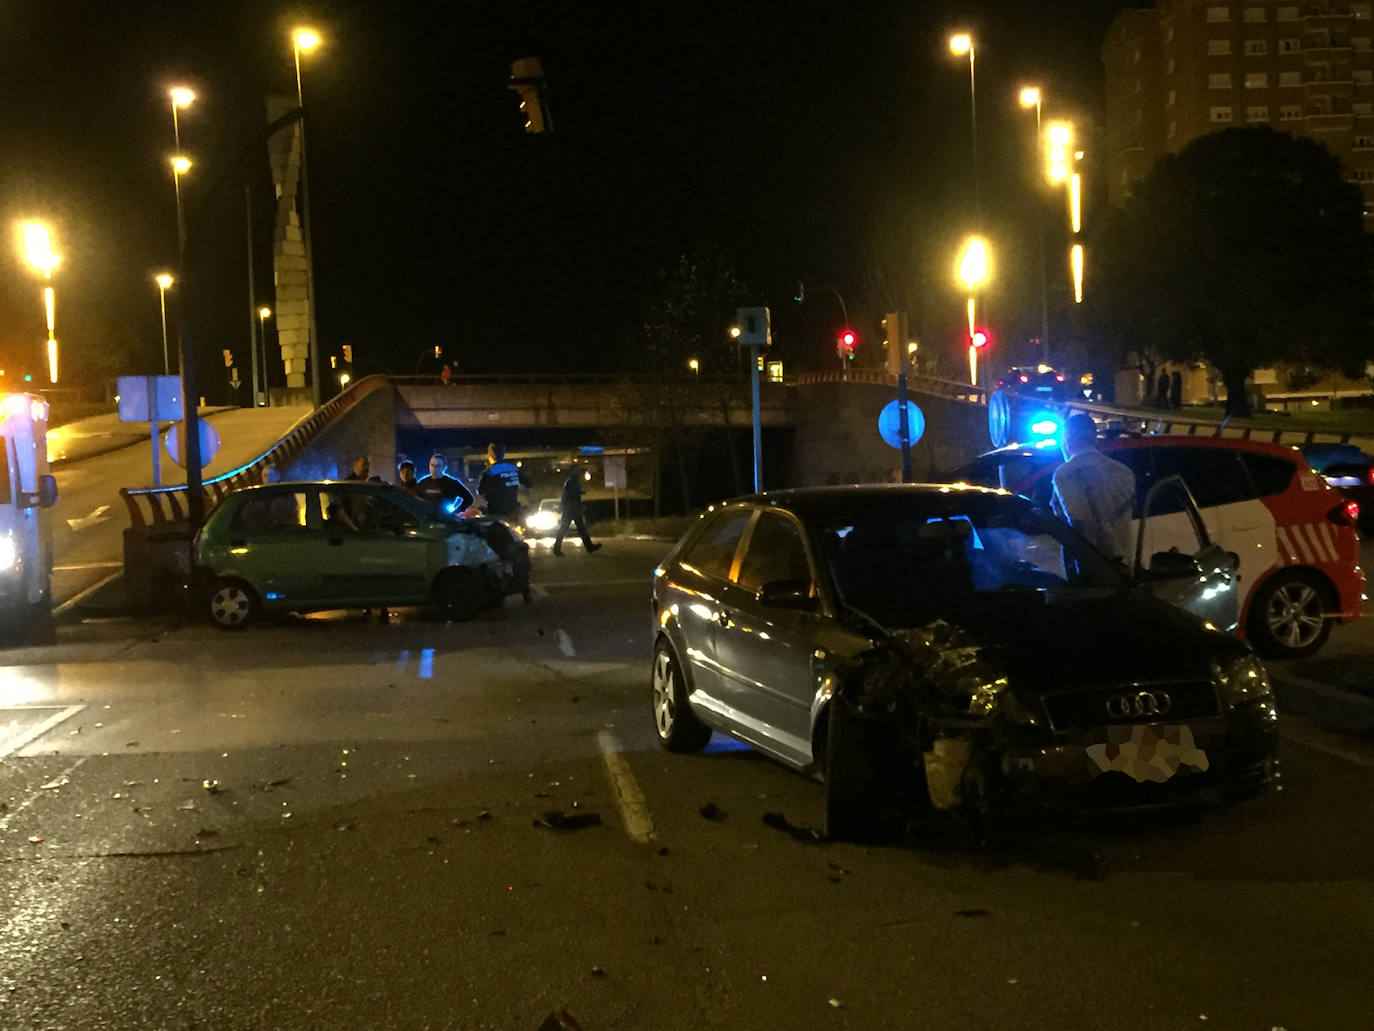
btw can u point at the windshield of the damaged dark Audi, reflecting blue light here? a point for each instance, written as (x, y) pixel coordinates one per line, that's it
(905, 560)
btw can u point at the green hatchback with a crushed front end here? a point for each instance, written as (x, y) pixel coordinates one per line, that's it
(346, 545)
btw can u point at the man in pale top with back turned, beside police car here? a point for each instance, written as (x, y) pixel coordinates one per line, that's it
(1094, 493)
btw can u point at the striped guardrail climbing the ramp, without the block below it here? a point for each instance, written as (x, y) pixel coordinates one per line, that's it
(153, 507)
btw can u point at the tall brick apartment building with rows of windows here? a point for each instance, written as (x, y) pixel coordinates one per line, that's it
(1188, 68)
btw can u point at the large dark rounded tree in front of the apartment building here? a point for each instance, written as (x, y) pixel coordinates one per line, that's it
(1244, 250)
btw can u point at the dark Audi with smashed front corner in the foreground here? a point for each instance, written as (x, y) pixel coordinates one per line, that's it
(954, 650)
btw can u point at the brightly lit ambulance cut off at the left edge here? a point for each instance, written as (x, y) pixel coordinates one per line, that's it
(27, 493)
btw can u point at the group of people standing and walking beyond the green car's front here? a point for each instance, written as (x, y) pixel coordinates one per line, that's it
(497, 496)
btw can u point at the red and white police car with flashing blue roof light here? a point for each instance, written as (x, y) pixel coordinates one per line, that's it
(1294, 535)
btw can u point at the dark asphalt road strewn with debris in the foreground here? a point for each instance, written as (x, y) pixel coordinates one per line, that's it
(330, 823)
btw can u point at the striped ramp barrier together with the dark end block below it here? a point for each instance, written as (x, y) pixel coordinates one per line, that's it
(157, 544)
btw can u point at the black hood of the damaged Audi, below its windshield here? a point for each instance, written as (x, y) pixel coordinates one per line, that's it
(1071, 640)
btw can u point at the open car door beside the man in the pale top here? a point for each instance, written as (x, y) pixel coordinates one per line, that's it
(1204, 581)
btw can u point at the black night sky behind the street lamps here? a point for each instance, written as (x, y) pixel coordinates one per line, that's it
(818, 142)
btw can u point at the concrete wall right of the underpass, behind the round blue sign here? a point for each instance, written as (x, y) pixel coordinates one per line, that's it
(836, 438)
